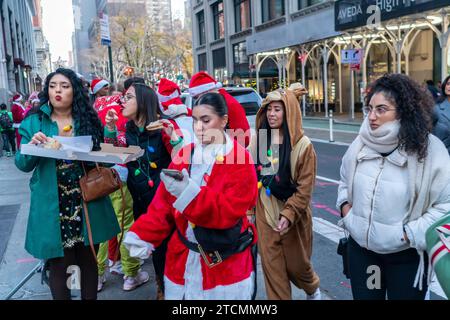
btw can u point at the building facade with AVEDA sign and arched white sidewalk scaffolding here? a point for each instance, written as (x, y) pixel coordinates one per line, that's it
(270, 43)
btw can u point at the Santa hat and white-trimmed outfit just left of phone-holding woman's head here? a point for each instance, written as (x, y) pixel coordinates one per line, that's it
(172, 107)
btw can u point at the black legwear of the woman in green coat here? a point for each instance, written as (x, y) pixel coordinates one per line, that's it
(62, 268)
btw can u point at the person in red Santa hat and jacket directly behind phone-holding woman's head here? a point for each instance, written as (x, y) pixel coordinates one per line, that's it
(202, 83)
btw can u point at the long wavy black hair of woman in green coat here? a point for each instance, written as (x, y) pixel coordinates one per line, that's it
(84, 116)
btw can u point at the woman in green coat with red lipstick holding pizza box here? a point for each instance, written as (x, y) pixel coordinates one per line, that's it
(56, 228)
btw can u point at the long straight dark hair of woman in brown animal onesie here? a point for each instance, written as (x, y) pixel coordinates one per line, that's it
(284, 164)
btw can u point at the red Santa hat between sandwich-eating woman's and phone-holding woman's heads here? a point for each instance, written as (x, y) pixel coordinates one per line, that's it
(169, 97)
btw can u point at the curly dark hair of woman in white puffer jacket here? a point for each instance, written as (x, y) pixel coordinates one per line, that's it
(414, 110)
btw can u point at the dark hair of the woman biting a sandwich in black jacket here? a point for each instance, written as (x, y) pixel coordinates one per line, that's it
(147, 105)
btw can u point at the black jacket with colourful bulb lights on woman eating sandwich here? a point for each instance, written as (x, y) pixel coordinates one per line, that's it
(155, 152)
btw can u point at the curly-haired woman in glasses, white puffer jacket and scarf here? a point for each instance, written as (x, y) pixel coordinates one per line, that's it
(395, 182)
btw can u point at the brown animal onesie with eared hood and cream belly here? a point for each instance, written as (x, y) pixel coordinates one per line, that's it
(286, 257)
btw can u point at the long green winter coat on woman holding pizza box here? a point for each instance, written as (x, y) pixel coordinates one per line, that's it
(43, 239)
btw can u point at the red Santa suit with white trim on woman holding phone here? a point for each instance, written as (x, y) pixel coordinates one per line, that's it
(216, 197)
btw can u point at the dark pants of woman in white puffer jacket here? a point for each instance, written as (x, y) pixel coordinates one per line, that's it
(398, 271)
